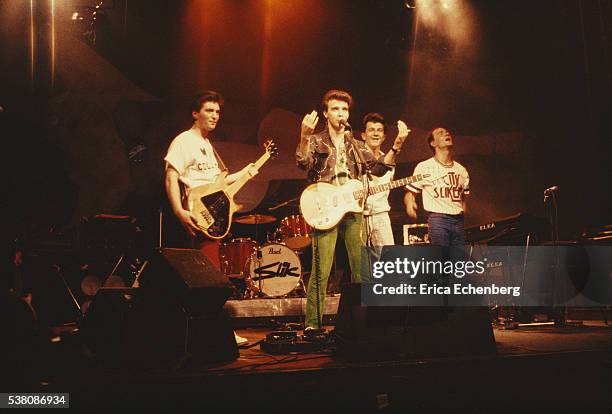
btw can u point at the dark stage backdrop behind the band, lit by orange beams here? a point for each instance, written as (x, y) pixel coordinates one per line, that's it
(541, 69)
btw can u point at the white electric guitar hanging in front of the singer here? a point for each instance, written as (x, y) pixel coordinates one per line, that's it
(323, 205)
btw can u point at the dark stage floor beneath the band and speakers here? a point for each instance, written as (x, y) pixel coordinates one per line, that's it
(553, 368)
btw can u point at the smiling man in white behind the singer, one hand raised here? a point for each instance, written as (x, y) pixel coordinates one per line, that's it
(376, 209)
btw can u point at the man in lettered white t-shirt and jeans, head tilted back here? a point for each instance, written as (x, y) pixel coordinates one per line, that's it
(444, 191)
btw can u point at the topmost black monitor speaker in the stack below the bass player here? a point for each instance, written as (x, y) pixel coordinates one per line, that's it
(186, 276)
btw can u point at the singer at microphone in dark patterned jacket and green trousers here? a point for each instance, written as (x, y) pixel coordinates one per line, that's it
(330, 156)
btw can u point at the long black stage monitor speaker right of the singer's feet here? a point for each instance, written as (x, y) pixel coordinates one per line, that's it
(391, 333)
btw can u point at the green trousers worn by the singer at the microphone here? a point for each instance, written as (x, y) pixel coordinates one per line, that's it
(323, 251)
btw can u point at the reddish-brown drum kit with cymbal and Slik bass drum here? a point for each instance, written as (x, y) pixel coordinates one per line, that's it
(272, 269)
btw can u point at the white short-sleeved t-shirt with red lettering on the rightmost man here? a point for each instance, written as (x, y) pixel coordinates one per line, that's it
(443, 187)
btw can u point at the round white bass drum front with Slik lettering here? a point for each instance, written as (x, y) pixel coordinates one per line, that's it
(277, 272)
